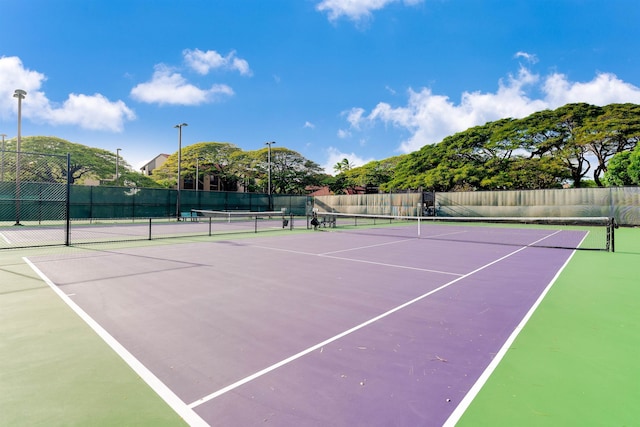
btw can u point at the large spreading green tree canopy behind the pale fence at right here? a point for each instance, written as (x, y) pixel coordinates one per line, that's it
(544, 150)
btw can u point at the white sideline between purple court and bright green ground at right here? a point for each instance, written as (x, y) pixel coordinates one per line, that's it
(484, 377)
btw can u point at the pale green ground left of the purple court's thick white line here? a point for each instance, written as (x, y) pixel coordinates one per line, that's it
(55, 370)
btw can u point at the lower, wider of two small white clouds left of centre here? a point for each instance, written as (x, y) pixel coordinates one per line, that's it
(169, 87)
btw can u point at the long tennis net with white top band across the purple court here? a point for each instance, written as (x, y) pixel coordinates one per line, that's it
(589, 233)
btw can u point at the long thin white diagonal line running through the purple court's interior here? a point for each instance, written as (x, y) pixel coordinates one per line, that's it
(315, 347)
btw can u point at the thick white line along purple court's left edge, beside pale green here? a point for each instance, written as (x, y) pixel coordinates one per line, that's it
(154, 382)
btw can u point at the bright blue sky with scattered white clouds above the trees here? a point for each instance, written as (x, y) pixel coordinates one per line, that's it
(361, 79)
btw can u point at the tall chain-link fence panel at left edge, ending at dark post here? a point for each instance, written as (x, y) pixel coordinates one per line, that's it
(34, 199)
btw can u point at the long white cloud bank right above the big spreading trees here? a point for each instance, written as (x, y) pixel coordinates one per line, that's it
(430, 117)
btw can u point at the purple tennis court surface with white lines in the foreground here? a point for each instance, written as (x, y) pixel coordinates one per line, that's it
(316, 327)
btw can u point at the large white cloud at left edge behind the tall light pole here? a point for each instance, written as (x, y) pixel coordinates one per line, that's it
(94, 112)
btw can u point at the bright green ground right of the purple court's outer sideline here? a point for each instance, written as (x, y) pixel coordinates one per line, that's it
(576, 361)
